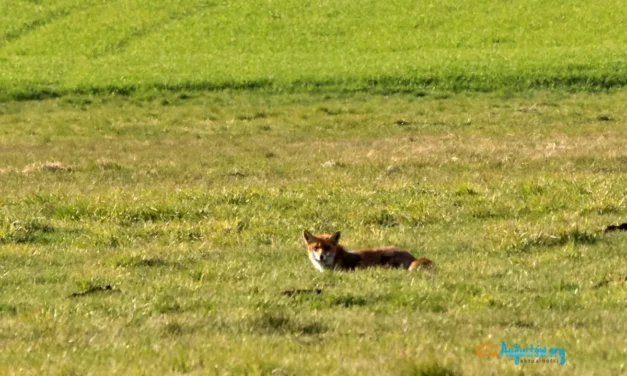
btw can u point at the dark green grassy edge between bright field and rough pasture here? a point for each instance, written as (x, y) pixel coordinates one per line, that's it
(386, 85)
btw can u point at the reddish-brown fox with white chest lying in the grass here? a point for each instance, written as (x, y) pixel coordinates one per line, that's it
(325, 253)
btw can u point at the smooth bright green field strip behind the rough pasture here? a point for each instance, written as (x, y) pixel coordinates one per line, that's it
(64, 47)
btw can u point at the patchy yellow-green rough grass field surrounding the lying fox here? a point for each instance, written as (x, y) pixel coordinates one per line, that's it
(162, 234)
